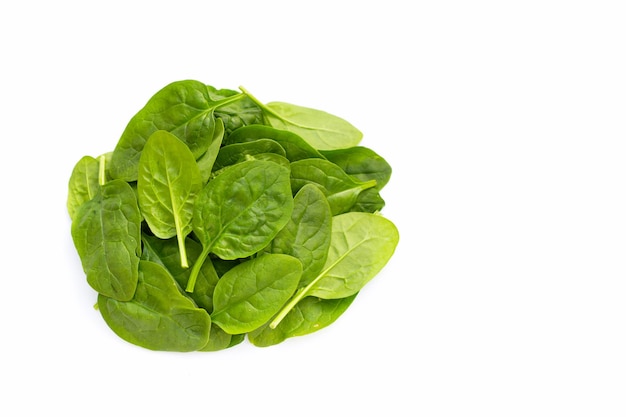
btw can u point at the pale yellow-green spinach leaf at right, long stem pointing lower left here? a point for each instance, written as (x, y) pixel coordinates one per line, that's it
(361, 245)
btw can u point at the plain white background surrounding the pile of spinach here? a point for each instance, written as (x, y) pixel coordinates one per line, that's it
(504, 122)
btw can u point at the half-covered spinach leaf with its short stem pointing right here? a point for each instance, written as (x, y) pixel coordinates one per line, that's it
(341, 190)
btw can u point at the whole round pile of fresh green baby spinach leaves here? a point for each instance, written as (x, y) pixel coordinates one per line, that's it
(217, 216)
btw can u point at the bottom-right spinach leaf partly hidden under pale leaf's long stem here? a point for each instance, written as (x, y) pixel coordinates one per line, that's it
(308, 316)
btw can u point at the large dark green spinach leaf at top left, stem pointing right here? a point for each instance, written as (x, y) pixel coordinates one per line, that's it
(184, 108)
